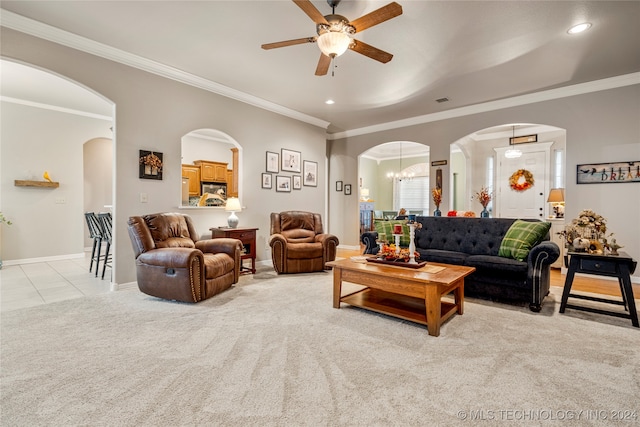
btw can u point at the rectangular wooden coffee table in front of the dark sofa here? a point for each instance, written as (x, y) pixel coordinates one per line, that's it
(407, 293)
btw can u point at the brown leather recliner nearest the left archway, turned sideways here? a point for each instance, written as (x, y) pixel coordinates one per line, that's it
(171, 262)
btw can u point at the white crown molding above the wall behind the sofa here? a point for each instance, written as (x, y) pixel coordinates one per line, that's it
(546, 95)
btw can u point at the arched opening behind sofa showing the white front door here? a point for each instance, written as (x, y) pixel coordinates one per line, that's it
(480, 160)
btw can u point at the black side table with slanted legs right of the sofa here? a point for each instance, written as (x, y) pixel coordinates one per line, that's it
(620, 266)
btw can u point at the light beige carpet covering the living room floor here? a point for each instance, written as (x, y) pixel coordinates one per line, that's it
(273, 351)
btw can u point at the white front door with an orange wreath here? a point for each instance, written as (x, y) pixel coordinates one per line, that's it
(529, 203)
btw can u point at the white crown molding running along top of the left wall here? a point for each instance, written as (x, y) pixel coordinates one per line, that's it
(47, 32)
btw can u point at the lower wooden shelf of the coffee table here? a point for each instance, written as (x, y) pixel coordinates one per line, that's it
(396, 305)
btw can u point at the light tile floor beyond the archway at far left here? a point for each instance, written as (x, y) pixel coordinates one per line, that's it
(28, 285)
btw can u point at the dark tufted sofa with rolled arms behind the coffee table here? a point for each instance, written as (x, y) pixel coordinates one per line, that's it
(475, 242)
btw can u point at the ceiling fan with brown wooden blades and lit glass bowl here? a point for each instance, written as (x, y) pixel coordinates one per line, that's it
(335, 33)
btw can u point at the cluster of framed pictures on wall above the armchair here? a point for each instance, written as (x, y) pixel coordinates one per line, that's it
(300, 172)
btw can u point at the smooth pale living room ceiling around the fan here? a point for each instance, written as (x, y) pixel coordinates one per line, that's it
(470, 52)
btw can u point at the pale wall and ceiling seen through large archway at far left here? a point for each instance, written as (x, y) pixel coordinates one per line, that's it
(47, 119)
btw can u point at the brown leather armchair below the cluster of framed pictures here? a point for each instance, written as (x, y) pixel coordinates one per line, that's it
(299, 244)
